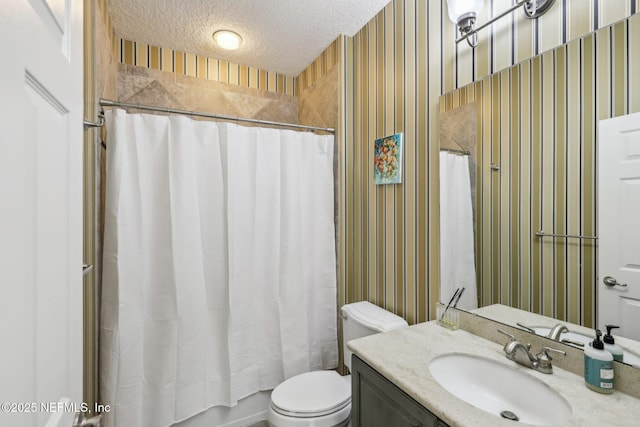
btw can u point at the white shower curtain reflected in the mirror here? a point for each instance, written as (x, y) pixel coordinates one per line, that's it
(457, 257)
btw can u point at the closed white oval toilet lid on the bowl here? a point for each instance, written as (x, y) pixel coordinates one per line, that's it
(312, 394)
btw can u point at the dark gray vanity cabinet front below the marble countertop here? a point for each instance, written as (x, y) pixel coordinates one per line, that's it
(376, 402)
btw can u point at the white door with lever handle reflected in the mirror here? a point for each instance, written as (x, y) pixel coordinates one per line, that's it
(619, 224)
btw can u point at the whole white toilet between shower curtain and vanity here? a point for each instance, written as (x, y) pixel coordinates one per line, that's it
(323, 398)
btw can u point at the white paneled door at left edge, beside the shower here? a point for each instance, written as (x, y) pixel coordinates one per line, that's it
(40, 212)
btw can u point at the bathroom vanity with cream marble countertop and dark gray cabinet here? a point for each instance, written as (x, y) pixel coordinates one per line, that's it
(392, 384)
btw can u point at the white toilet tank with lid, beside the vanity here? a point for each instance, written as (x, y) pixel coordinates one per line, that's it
(361, 319)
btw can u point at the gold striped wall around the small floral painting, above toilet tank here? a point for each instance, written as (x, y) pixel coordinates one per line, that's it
(389, 234)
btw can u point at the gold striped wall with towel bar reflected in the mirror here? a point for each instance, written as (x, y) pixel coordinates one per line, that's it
(538, 121)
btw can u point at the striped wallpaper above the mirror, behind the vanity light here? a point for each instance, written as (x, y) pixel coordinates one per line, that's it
(514, 39)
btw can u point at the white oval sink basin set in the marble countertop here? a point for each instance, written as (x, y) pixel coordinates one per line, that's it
(500, 389)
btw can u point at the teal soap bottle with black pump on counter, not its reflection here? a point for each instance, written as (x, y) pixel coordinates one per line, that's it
(598, 366)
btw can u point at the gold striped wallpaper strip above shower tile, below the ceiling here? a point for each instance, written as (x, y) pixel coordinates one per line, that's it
(188, 64)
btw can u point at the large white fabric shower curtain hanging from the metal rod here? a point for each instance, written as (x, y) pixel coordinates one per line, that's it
(219, 272)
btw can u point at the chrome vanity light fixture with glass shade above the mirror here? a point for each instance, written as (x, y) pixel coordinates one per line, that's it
(463, 13)
